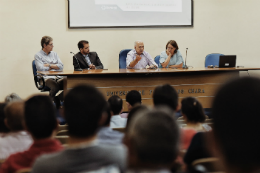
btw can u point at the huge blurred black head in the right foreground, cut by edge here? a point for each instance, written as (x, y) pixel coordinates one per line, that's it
(236, 123)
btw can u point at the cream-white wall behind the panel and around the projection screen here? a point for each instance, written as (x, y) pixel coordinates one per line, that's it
(220, 26)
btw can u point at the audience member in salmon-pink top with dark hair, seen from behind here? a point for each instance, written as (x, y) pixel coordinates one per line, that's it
(193, 114)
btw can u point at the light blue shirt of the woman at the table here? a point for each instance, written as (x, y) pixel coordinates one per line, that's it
(176, 59)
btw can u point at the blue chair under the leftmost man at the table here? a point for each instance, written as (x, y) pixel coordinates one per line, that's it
(38, 79)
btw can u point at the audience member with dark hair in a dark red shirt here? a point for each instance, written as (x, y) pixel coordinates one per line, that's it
(40, 122)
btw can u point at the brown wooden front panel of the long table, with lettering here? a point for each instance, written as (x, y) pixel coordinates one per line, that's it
(201, 85)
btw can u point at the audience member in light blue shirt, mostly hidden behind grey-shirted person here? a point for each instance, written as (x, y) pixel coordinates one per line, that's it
(106, 135)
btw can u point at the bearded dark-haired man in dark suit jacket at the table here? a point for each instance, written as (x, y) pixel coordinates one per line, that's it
(85, 59)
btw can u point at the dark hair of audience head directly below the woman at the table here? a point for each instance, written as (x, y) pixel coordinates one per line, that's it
(165, 95)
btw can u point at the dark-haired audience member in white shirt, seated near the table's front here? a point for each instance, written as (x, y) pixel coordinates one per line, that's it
(116, 106)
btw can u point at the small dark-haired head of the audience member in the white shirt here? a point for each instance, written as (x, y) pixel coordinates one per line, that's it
(116, 104)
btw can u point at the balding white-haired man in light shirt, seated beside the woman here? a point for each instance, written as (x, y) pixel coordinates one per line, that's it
(138, 58)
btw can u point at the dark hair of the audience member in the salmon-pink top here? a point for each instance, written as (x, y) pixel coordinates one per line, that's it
(193, 110)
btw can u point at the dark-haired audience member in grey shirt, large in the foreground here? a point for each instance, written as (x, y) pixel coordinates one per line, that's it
(83, 107)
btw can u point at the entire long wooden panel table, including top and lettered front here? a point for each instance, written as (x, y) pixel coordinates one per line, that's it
(201, 83)
